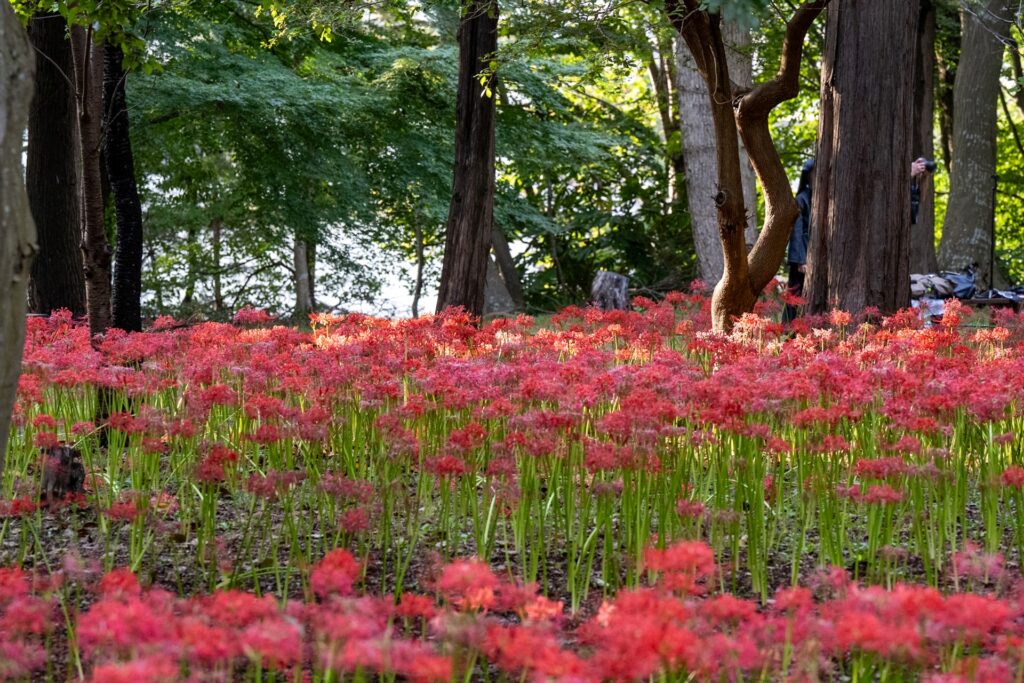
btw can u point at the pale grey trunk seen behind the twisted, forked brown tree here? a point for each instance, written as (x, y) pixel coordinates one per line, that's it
(699, 152)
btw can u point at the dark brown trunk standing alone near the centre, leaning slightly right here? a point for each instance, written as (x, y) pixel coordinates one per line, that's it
(467, 238)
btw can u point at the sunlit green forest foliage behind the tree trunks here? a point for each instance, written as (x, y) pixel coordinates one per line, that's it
(300, 158)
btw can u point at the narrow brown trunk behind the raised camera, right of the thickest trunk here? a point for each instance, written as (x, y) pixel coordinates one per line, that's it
(923, 258)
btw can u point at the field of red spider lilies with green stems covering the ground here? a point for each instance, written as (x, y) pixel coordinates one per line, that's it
(613, 496)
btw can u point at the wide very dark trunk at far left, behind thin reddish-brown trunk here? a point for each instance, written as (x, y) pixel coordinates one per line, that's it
(52, 173)
